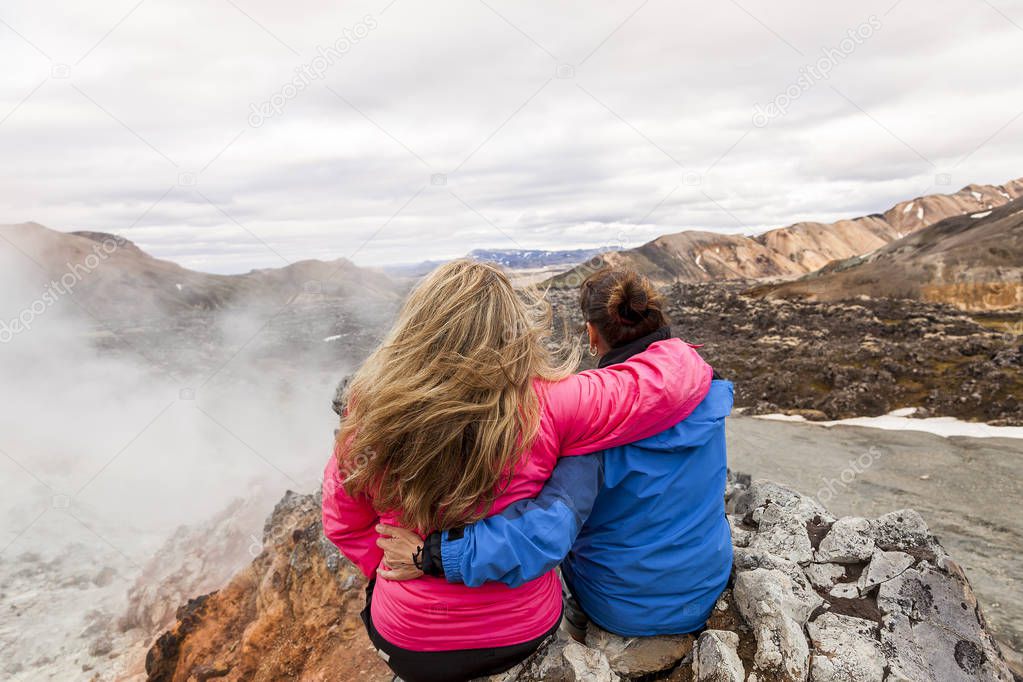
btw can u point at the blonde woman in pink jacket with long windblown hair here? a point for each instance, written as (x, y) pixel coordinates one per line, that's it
(462, 412)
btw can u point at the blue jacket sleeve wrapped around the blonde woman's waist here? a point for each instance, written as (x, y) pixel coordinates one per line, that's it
(530, 537)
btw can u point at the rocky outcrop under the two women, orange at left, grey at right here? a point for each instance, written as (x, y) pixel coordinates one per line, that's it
(813, 598)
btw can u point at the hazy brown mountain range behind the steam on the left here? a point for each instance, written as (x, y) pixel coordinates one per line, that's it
(117, 280)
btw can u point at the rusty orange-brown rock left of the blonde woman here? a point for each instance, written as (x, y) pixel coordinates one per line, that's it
(292, 614)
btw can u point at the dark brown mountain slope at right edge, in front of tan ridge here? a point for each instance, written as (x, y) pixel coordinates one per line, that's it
(974, 262)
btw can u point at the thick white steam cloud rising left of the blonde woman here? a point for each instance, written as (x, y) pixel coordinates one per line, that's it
(114, 434)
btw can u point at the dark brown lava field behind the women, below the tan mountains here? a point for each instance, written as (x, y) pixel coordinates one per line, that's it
(862, 358)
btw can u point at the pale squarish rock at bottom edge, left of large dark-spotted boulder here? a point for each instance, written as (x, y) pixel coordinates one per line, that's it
(846, 650)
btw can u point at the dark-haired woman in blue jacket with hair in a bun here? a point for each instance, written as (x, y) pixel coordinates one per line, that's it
(640, 530)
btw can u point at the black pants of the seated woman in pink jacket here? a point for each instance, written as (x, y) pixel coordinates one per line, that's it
(455, 666)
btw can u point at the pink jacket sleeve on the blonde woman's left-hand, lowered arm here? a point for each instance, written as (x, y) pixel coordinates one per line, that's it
(349, 522)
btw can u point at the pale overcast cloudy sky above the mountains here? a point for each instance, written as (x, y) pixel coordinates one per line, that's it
(233, 134)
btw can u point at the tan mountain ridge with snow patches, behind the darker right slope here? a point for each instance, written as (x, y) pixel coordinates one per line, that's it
(797, 250)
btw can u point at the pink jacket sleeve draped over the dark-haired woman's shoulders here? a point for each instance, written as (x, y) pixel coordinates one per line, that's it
(631, 401)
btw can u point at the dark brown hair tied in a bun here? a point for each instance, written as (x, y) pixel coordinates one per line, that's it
(622, 305)
